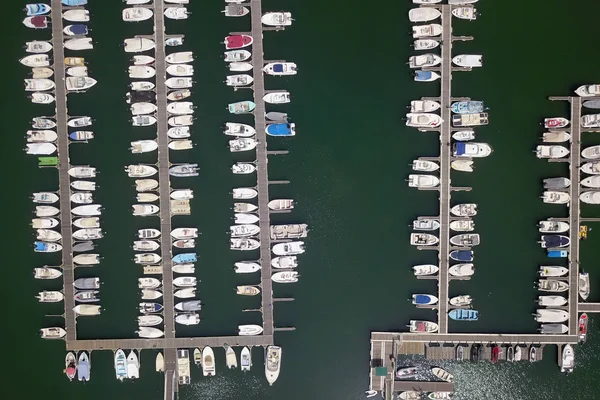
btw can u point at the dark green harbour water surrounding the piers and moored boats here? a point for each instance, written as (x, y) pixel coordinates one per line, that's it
(347, 166)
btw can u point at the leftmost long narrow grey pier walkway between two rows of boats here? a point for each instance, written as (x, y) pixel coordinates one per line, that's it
(63, 167)
